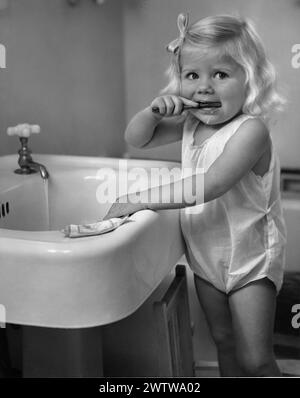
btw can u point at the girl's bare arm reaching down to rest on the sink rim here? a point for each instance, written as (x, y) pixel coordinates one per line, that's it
(240, 155)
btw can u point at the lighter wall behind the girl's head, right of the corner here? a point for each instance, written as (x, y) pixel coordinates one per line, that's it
(151, 24)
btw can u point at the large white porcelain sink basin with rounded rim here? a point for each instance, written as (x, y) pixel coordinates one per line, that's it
(49, 280)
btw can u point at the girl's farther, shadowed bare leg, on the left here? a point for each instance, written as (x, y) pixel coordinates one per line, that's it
(216, 309)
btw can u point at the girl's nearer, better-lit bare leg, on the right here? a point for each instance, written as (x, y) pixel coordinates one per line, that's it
(252, 310)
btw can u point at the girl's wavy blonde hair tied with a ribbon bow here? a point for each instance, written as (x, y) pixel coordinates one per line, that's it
(232, 37)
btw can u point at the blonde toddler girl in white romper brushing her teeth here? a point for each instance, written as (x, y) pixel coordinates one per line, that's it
(220, 92)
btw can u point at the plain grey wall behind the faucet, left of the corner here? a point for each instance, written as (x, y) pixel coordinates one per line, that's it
(65, 72)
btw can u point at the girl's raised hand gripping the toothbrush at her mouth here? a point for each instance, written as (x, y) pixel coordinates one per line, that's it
(171, 105)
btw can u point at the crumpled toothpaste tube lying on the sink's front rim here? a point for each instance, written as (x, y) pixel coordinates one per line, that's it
(98, 228)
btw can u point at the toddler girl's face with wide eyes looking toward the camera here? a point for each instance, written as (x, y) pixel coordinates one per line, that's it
(213, 78)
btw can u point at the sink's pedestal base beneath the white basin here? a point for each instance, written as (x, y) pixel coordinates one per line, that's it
(51, 352)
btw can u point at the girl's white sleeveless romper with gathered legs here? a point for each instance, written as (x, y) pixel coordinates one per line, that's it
(239, 237)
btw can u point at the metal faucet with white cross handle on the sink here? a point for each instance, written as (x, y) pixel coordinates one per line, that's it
(25, 161)
